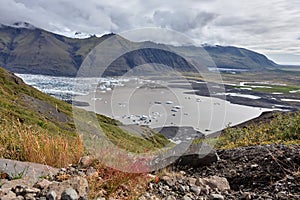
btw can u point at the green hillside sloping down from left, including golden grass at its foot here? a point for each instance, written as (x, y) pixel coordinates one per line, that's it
(39, 128)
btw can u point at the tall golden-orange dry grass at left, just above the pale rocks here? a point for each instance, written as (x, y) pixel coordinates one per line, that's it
(27, 143)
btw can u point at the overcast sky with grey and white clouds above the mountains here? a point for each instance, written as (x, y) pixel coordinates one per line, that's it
(271, 27)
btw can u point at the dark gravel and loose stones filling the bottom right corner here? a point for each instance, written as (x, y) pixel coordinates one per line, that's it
(258, 172)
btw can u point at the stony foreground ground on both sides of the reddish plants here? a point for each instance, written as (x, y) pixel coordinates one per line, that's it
(258, 172)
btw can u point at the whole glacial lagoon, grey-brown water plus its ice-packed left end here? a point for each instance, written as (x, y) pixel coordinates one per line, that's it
(145, 102)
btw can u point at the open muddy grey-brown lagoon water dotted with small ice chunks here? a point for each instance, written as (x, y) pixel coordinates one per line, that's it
(158, 105)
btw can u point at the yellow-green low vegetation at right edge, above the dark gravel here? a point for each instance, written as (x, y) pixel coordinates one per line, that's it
(283, 128)
